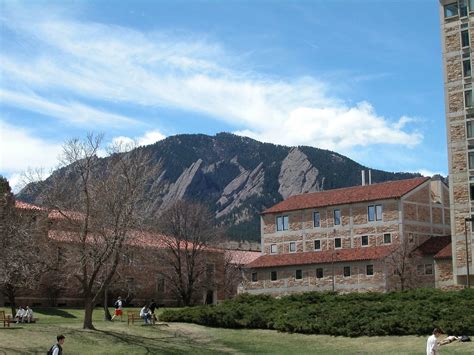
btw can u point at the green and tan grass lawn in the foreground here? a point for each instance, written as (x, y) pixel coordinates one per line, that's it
(179, 338)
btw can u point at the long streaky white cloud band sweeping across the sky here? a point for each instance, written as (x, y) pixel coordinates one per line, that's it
(120, 65)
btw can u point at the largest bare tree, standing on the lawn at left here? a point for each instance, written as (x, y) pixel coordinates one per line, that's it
(96, 201)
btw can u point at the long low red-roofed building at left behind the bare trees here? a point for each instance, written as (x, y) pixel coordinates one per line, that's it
(144, 271)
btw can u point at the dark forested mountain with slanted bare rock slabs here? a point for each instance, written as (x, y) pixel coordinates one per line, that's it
(237, 177)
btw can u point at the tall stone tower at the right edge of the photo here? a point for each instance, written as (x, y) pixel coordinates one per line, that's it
(457, 34)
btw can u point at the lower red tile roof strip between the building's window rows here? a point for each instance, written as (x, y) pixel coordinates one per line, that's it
(321, 257)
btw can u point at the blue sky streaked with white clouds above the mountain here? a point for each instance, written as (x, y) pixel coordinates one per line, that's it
(363, 78)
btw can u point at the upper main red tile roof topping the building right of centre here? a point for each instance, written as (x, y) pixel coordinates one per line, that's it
(384, 190)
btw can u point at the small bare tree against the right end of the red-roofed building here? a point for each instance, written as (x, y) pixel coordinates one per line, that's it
(402, 263)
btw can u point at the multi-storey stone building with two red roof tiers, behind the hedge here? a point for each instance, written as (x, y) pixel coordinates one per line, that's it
(342, 239)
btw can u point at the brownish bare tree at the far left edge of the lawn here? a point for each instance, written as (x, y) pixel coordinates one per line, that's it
(24, 256)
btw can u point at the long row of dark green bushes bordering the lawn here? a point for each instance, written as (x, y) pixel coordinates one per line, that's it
(414, 312)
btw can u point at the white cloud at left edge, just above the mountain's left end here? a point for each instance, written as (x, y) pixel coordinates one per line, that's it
(20, 150)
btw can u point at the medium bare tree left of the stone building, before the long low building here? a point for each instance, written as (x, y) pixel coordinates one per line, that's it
(189, 232)
